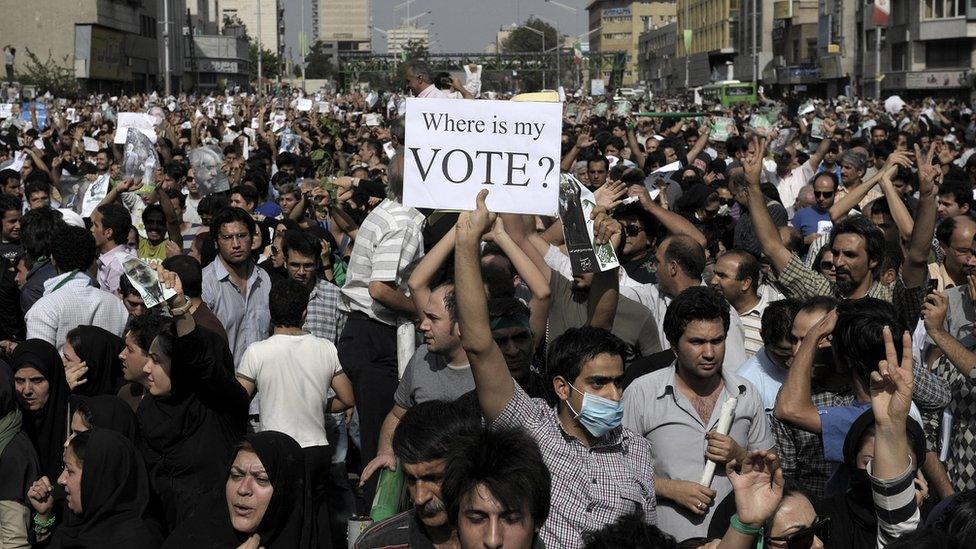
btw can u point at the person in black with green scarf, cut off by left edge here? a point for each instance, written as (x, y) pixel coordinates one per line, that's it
(18, 466)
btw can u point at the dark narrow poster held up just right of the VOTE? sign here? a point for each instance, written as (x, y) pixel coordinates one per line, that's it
(576, 203)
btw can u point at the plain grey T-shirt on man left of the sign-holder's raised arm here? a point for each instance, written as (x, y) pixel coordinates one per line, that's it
(429, 377)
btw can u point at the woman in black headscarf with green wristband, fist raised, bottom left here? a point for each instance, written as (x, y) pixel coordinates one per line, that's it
(107, 490)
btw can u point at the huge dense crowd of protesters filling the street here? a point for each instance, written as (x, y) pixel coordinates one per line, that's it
(783, 358)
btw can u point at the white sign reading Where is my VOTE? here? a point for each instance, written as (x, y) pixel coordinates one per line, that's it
(456, 148)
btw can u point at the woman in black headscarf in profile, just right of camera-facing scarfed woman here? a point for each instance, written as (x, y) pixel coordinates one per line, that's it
(98, 351)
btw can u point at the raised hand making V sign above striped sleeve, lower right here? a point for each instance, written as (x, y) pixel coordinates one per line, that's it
(892, 384)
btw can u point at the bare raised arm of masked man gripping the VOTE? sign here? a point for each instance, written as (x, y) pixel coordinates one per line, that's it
(493, 383)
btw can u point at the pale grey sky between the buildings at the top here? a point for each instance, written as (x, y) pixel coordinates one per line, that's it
(457, 26)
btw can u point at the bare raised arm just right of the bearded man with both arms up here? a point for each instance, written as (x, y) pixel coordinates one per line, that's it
(915, 270)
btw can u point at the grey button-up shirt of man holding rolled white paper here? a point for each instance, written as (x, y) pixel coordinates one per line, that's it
(658, 411)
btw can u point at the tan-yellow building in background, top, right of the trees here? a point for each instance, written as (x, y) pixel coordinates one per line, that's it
(621, 23)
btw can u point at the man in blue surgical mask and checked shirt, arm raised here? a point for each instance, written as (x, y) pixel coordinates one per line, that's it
(600, 470)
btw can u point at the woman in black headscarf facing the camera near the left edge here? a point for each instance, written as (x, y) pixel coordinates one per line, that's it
(43, 394)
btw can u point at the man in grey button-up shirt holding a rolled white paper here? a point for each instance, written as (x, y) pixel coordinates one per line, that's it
(678, 410)
